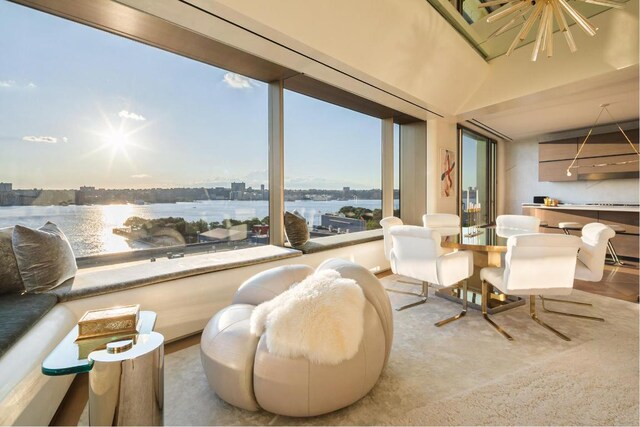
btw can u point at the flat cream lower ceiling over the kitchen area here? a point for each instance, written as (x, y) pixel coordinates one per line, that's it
(573, 106)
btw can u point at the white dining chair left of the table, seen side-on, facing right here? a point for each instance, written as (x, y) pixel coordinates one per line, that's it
(417, 253)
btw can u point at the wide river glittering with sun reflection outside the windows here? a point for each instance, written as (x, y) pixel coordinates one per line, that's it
(89, 228)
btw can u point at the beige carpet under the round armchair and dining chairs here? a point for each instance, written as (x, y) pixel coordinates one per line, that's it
(465, 373)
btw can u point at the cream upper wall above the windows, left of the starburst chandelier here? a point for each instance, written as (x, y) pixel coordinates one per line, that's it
(404, 45)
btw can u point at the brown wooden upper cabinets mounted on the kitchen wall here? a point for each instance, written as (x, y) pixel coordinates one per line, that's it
(604, 156)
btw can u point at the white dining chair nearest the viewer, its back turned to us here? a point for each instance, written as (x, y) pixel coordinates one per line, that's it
(536, 264)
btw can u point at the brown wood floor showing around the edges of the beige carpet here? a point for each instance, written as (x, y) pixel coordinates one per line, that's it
(618, 282)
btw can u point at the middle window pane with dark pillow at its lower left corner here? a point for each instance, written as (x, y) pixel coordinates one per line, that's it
(332, 166)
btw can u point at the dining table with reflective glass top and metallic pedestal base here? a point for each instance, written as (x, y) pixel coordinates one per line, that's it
(489, 246)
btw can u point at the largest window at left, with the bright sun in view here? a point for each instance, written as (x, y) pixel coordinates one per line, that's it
(126, 146)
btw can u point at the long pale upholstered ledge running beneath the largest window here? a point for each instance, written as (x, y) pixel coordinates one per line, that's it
(112, 278)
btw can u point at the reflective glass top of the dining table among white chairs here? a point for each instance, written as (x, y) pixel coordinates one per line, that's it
(489, 239)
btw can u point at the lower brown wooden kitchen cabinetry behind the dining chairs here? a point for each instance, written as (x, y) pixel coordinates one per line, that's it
(627, 244)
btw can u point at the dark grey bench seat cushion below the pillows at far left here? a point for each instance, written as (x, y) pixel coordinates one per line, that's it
(18, 313)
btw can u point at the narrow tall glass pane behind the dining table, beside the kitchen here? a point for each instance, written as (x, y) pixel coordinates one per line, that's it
(478, 155)
